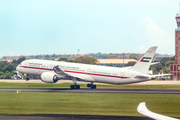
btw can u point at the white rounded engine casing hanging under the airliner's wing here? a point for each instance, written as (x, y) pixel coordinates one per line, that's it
(49, 77)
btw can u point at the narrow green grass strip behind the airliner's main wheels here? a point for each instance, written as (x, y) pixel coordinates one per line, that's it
(67, 85)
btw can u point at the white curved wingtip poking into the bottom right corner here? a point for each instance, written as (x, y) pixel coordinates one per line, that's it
(143, 110)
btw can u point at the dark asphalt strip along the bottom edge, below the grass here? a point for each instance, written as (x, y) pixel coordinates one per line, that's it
(69, 117)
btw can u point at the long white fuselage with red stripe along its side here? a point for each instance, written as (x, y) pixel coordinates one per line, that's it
(88, 73)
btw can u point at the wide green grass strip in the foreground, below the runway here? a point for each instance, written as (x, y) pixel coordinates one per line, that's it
(87, 103)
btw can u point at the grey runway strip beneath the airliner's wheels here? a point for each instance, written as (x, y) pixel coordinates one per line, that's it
(99, 90)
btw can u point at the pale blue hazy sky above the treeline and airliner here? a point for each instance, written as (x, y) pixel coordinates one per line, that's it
(33, 27)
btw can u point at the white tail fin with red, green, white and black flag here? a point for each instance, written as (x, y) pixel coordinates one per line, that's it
(144, 63)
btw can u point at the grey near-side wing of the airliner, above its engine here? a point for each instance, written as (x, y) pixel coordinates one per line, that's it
(60, 73)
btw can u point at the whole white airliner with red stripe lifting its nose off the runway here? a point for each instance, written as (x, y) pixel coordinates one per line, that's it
(52, 71)
